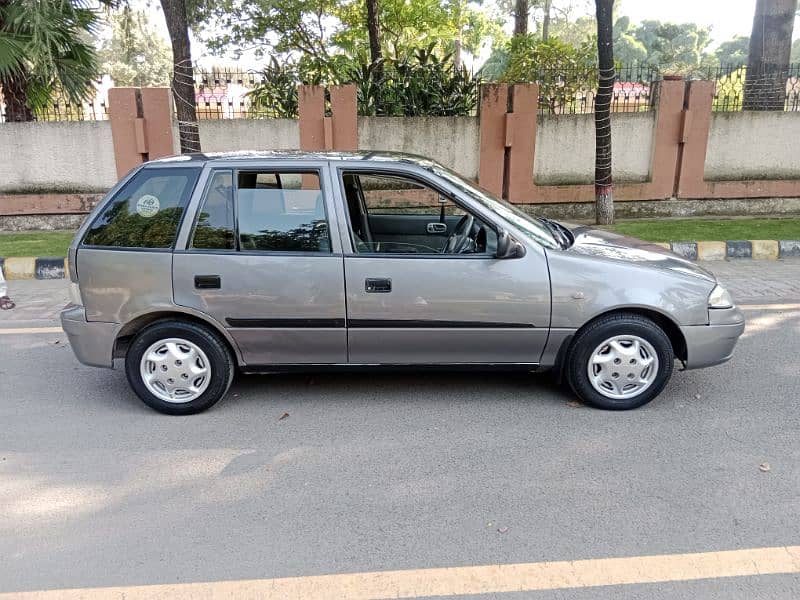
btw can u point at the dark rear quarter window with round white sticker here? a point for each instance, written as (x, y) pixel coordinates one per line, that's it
(146, 212)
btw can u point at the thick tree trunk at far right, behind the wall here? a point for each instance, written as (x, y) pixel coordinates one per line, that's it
(770, 51)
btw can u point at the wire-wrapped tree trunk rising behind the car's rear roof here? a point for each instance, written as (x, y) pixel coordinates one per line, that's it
(182, 75)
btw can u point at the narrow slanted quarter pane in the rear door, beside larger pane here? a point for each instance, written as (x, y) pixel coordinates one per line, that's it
(214, 229)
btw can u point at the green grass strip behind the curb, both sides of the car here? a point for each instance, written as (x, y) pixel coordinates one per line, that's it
(55, 243)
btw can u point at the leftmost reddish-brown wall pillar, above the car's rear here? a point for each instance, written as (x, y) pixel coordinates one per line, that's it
(141, 125)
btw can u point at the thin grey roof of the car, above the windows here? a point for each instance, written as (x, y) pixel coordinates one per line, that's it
(381, 156)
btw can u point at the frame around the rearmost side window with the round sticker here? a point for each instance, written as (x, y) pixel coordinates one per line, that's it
(121, 187)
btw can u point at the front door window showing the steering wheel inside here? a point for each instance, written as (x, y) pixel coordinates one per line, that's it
(397, 214)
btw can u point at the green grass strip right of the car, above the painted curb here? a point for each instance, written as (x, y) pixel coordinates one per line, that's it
(689, 230)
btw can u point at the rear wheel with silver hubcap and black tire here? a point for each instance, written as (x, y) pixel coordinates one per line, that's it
(197, 367)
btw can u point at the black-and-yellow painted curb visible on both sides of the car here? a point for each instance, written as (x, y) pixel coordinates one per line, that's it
(55, 267)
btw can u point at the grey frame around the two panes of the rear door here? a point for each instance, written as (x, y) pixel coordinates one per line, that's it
(277, 166)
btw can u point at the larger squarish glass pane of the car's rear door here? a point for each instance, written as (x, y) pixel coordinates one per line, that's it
(281, 212)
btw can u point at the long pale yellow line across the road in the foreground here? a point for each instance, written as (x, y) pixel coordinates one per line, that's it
(458, 581)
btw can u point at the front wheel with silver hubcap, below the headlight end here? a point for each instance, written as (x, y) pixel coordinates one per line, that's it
(630, 359)
